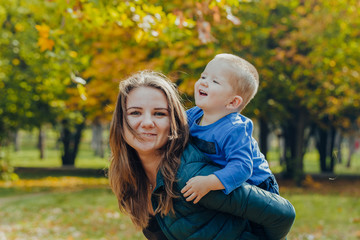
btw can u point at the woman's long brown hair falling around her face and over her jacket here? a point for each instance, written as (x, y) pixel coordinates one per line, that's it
(126, 174)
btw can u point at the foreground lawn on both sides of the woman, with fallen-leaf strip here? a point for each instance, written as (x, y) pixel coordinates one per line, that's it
(85, 208)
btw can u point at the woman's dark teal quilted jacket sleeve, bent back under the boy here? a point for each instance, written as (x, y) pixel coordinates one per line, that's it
(273, 212)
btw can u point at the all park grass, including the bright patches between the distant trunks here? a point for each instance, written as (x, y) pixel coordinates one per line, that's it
(60, 205)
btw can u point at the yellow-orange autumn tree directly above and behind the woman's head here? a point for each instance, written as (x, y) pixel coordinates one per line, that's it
(117, 38)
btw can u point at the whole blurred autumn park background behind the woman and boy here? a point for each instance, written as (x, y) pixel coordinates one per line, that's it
(60, 65)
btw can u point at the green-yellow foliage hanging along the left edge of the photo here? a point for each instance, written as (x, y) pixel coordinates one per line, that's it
(29, 92)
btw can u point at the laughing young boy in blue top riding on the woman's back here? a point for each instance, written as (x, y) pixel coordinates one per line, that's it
(218, 129)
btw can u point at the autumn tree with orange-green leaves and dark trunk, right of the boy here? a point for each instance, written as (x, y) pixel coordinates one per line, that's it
(307, 62)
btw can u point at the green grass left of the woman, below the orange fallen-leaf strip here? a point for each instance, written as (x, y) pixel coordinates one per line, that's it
(68, 214)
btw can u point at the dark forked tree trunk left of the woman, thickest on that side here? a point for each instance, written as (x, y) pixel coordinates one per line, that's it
(70, 140)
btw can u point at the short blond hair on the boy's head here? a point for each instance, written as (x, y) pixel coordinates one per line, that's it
(244, 77)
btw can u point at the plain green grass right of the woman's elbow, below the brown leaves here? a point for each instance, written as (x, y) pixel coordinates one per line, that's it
(325, 216)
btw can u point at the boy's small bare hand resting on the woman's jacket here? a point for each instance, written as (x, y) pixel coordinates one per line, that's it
(199, 186)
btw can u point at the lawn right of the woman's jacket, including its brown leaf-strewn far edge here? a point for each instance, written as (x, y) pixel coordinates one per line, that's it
(325, 209)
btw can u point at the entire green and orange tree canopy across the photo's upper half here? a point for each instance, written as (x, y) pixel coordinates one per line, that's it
(65, 58)
